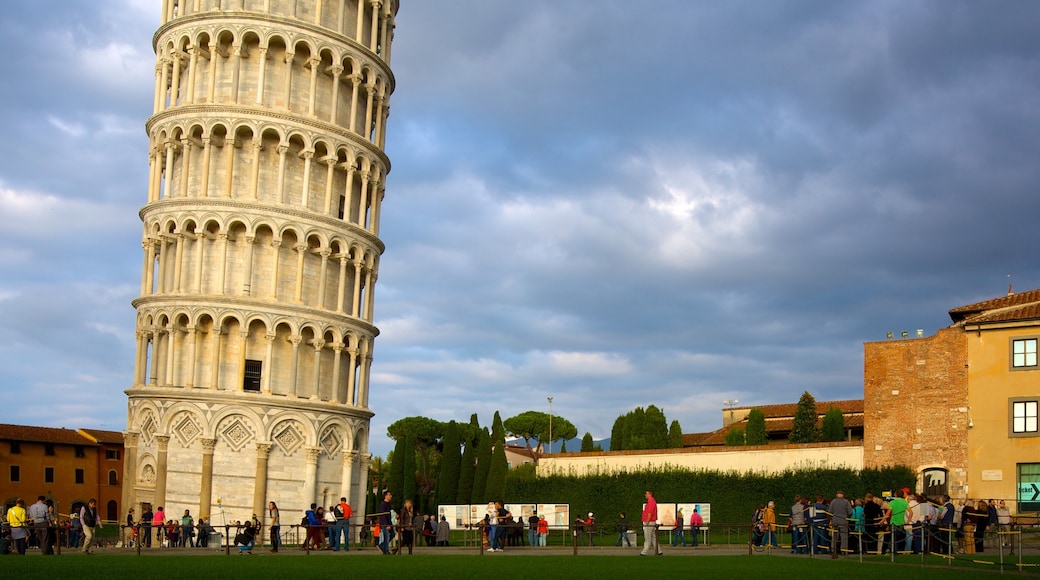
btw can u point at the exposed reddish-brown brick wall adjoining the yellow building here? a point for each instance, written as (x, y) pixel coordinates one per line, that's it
(916, 403)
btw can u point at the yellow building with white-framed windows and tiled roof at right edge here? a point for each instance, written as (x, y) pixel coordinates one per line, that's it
(1004, 396)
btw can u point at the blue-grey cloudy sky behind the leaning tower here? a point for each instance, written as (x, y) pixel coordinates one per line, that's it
(611, 203)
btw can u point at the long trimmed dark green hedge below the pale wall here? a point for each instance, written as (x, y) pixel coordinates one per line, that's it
(734, 496)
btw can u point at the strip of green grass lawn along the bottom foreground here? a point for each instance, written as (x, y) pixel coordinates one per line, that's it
(516, 565)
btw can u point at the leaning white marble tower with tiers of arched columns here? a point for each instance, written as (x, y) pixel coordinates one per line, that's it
(262, 252)
